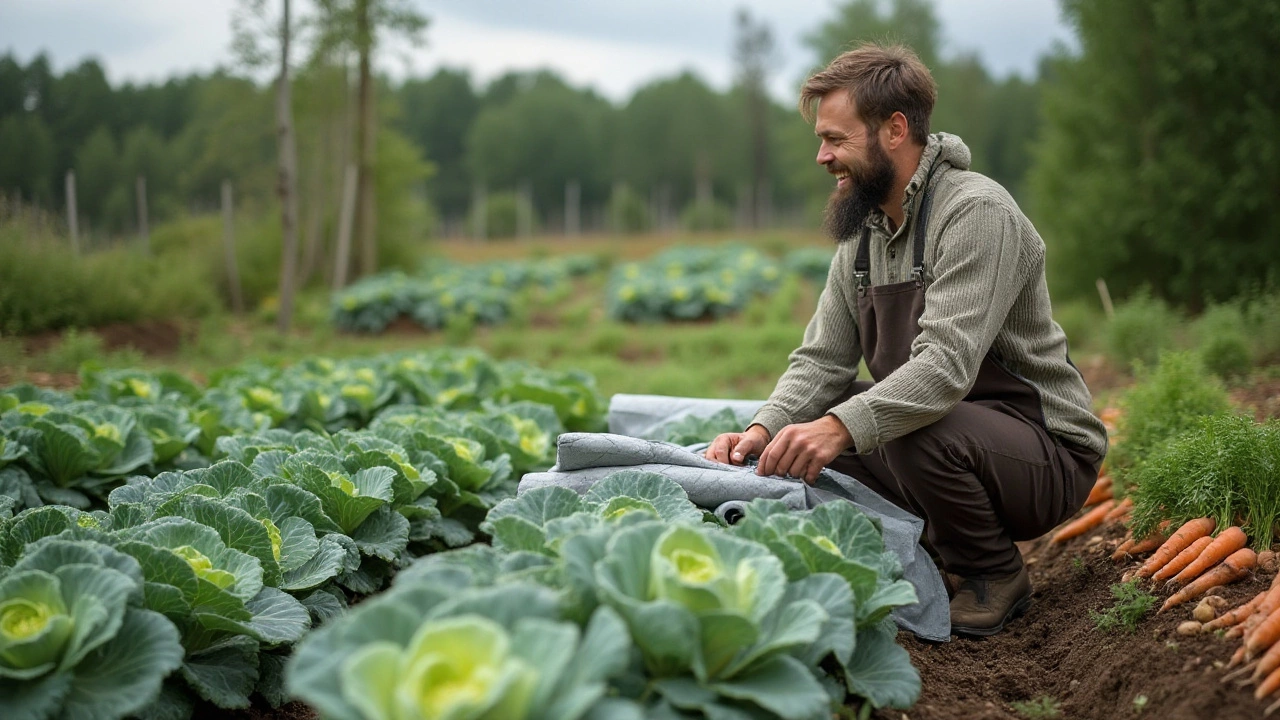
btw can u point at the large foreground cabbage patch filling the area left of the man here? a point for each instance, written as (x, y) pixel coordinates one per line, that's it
(196, 536)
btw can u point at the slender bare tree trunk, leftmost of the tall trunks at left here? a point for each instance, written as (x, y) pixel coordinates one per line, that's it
(287, 188)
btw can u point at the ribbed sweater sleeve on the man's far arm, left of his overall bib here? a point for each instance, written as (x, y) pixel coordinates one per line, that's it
(825, 364)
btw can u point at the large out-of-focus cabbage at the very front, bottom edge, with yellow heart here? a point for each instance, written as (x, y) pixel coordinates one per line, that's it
(440, 649)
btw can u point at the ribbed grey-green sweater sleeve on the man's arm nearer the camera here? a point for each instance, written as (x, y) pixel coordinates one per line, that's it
(980, 272)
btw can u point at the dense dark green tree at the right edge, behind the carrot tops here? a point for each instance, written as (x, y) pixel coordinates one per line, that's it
(1158, 163)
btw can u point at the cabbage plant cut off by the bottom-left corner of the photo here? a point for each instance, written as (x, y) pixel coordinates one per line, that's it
(75, 641)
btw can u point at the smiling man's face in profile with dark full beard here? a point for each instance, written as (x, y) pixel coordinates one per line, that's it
(853, 154)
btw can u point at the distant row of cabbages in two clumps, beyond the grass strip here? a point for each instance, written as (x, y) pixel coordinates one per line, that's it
(678, 285)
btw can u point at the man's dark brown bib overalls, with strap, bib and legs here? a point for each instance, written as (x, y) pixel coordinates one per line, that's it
(989, 473)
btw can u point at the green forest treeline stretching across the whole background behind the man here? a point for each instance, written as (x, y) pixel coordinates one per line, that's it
(1148, 156)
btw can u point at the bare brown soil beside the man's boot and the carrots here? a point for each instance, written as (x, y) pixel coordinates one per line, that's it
(1057, 651)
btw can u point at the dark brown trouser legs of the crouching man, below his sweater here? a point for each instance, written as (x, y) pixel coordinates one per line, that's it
(982, 477)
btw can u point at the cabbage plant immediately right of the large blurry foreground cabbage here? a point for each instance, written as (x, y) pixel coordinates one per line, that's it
(715, 622)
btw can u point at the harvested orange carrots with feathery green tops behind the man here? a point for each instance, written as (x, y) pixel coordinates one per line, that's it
(1195, 485)
